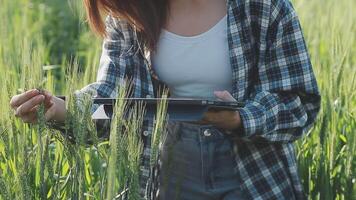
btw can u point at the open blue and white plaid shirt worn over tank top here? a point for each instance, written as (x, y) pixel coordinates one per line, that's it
(272, 74)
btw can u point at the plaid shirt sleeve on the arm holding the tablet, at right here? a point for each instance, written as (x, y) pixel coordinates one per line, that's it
(285, 100)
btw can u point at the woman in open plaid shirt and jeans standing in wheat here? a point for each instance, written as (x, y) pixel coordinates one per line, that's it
(248, 50)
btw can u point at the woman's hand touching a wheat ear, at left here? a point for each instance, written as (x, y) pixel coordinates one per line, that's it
(26, 104)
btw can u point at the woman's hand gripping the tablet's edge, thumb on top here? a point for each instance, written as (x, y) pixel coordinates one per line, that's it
(224, 119)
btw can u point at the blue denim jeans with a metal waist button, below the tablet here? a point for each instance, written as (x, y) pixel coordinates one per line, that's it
(196, 163)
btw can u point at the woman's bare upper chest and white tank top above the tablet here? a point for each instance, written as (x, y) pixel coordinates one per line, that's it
(192, 52)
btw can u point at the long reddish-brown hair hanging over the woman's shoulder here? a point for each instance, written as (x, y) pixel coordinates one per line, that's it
(148, 16)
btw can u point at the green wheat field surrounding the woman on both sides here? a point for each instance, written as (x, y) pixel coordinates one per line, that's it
(46, 43)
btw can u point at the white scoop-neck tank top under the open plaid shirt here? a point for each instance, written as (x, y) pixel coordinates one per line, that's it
(193, 67)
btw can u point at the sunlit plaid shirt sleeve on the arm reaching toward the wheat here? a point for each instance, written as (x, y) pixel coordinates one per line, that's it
(116, 48)
